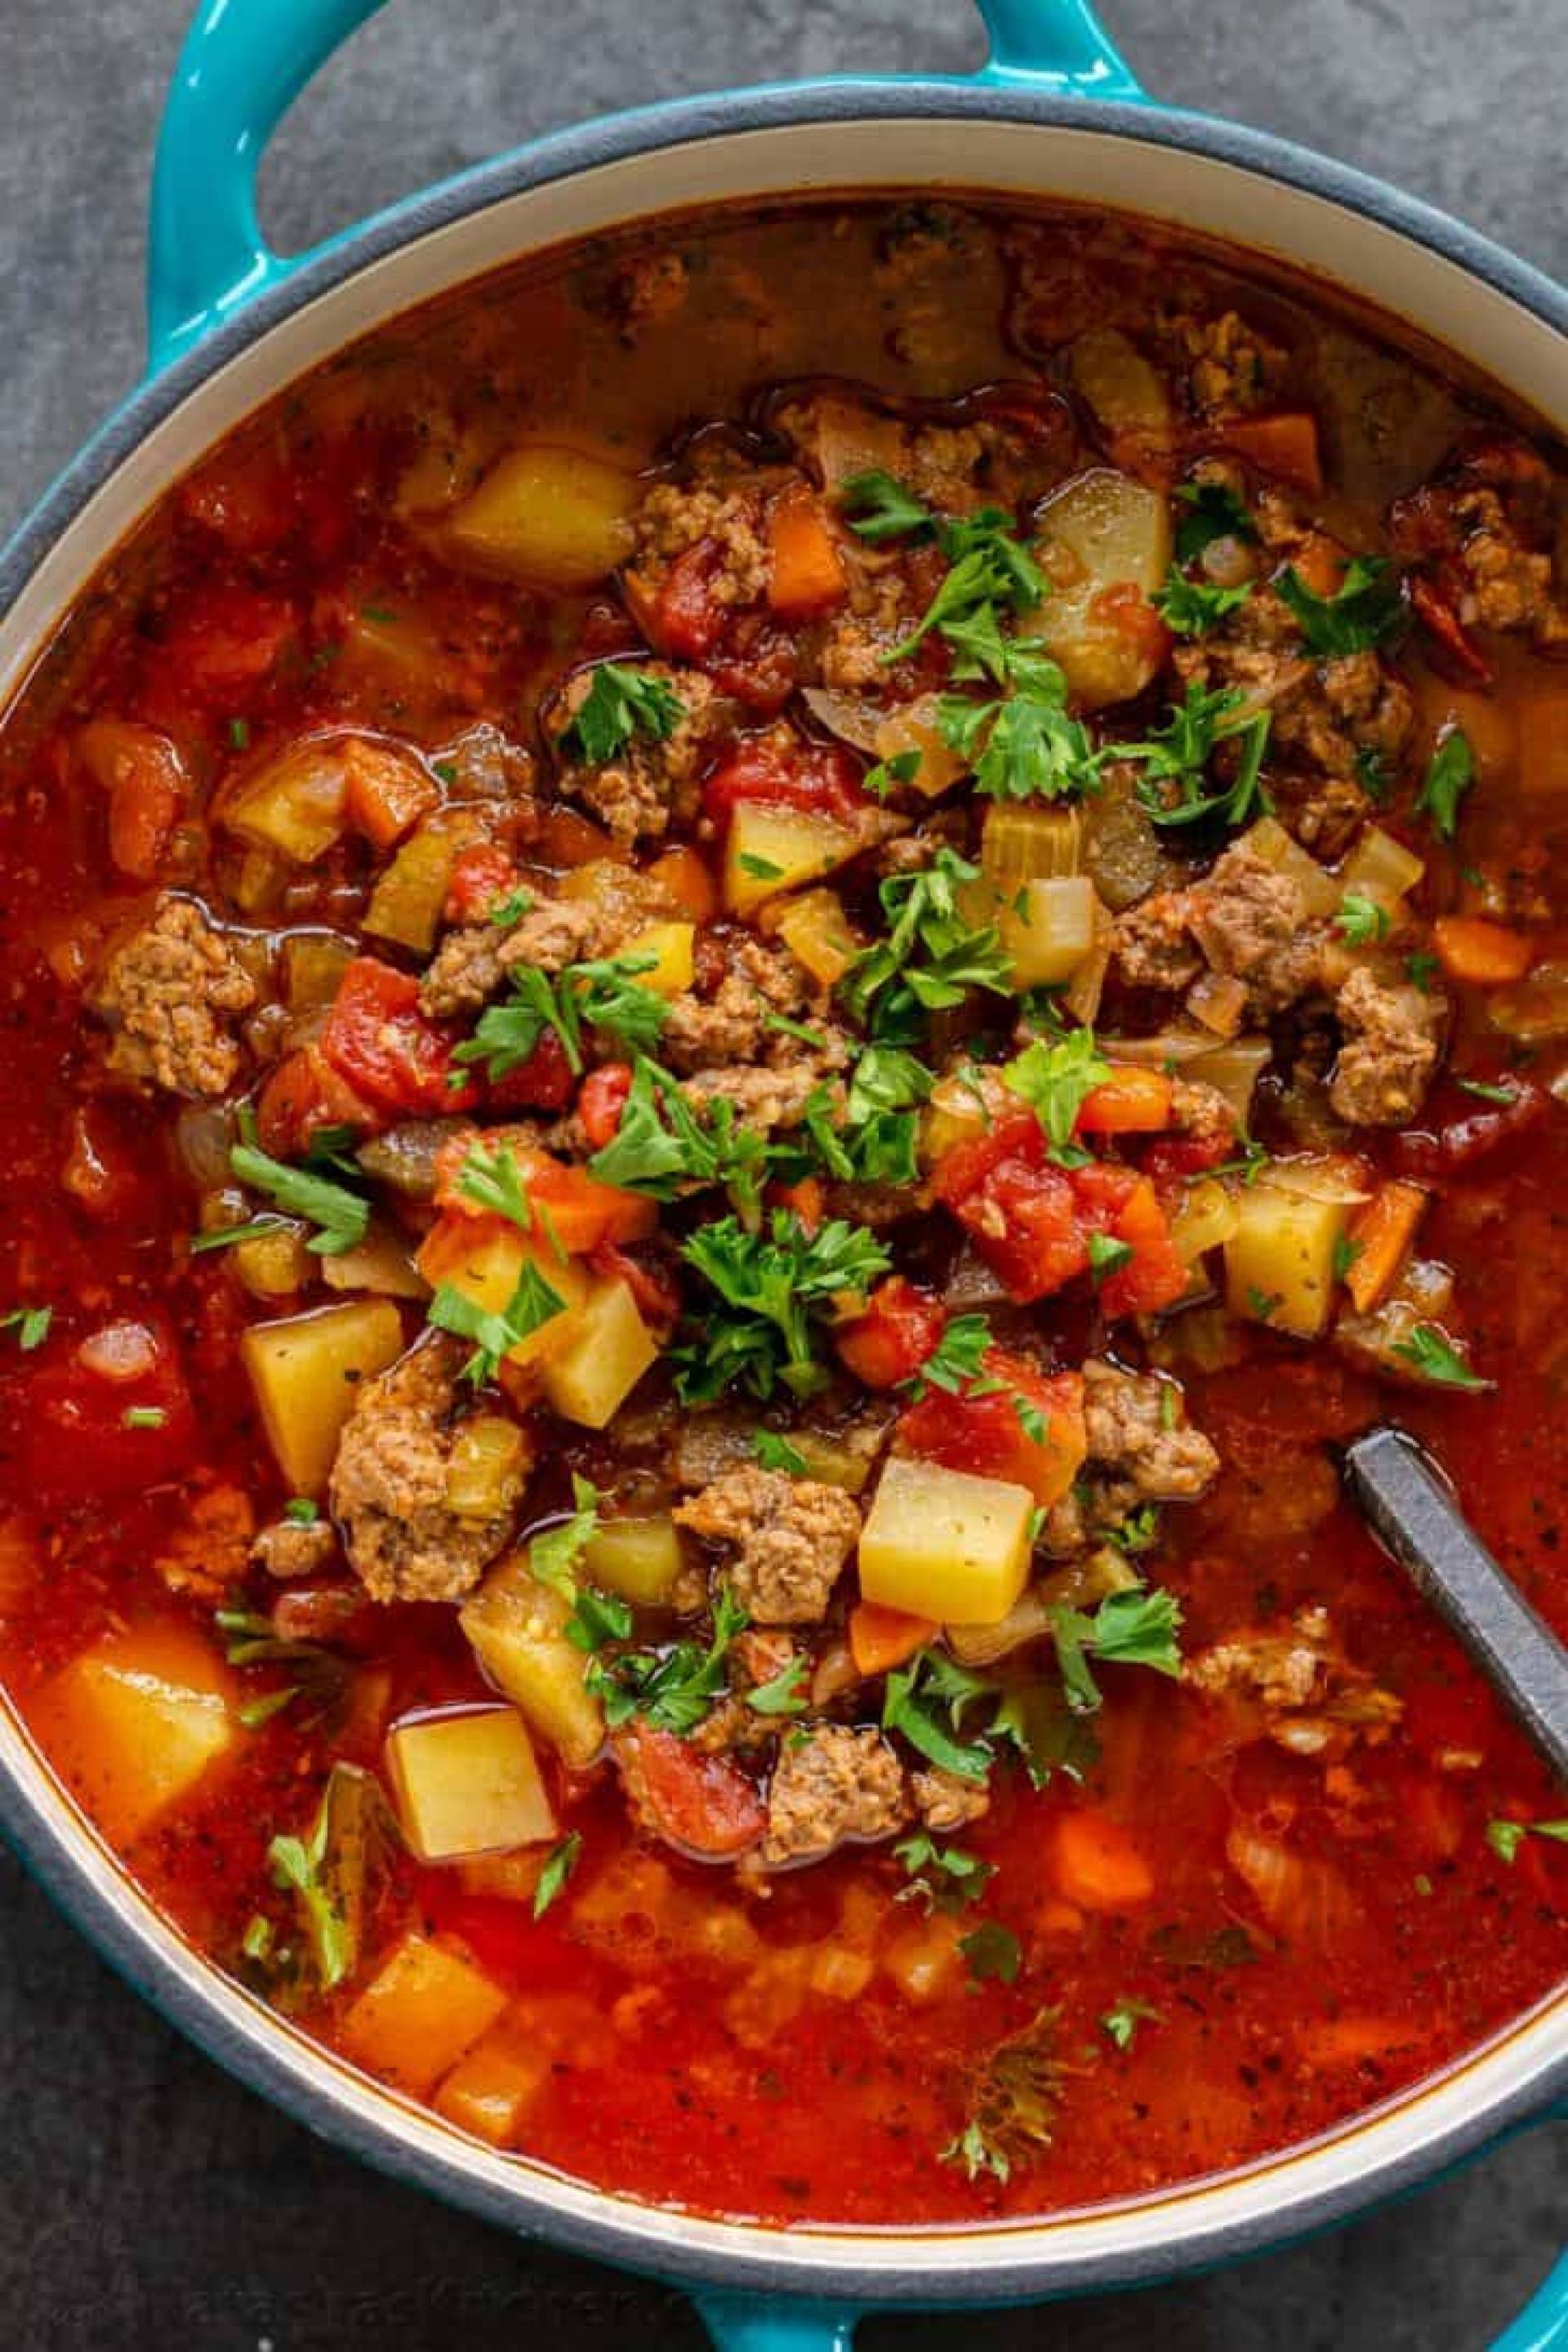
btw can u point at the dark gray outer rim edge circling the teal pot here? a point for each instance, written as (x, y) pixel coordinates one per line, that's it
(1010, 2266)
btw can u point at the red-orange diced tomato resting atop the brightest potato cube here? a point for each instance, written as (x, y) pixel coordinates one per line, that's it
(1028, 1429)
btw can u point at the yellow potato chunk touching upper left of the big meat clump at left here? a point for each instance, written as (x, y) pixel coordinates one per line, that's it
(307, 1372)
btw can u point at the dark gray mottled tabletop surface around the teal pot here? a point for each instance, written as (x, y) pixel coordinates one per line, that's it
(145, 2200)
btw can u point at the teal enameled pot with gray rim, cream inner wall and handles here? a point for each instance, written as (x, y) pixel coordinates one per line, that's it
(1054, 112)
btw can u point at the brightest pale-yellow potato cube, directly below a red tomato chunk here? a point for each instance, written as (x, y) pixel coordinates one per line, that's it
(944, 1544)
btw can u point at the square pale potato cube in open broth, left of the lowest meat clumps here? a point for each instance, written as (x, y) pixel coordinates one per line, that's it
(467, 1784)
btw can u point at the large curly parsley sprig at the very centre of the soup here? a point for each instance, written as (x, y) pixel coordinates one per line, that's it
(772, 1288)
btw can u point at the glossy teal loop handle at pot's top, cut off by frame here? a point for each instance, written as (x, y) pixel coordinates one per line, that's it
(246, 62)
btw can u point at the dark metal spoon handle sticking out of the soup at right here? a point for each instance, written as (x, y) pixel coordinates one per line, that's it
(1419, 1521)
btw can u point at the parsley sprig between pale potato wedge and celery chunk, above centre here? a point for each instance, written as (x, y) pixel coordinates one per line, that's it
(932, 956)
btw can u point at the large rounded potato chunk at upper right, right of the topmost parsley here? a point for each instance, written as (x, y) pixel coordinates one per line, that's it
(1097, 535)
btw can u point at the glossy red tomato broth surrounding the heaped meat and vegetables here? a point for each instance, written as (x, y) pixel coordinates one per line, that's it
(1261, 2040)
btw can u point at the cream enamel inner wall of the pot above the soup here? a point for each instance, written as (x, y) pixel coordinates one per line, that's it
(1419, 286)
